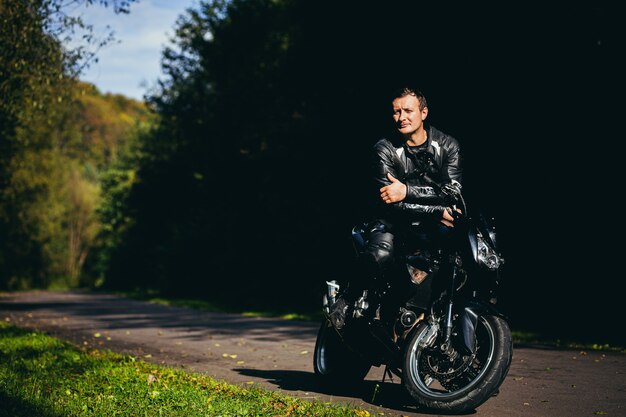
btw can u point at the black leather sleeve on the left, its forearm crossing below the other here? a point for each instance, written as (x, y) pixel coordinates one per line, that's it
(424, 201)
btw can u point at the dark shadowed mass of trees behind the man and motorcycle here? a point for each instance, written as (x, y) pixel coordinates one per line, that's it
(250, 185)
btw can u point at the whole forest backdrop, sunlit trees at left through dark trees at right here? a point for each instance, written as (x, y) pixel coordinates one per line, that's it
(239, 178)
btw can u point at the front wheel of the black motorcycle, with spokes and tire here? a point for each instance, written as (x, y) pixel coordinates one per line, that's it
(459, 383)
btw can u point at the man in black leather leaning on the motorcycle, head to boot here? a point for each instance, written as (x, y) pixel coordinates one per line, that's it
(416, 175)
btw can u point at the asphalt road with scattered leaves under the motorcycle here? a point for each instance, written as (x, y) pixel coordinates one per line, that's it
(277, 354)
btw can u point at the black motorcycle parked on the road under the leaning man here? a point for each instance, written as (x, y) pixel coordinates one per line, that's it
(433, 322)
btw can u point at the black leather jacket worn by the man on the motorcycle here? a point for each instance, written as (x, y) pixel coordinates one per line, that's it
(436, 162)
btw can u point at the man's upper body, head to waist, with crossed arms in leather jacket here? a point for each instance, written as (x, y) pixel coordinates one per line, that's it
(410, 172)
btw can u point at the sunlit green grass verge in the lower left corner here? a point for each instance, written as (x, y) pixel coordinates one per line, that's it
(46, 377)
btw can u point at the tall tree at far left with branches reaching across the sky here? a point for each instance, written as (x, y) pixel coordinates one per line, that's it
(38, 141)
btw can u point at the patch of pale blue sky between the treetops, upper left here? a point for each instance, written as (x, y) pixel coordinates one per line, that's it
(131, 65)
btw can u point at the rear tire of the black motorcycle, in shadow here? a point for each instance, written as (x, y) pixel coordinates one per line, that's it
(333, 362)
